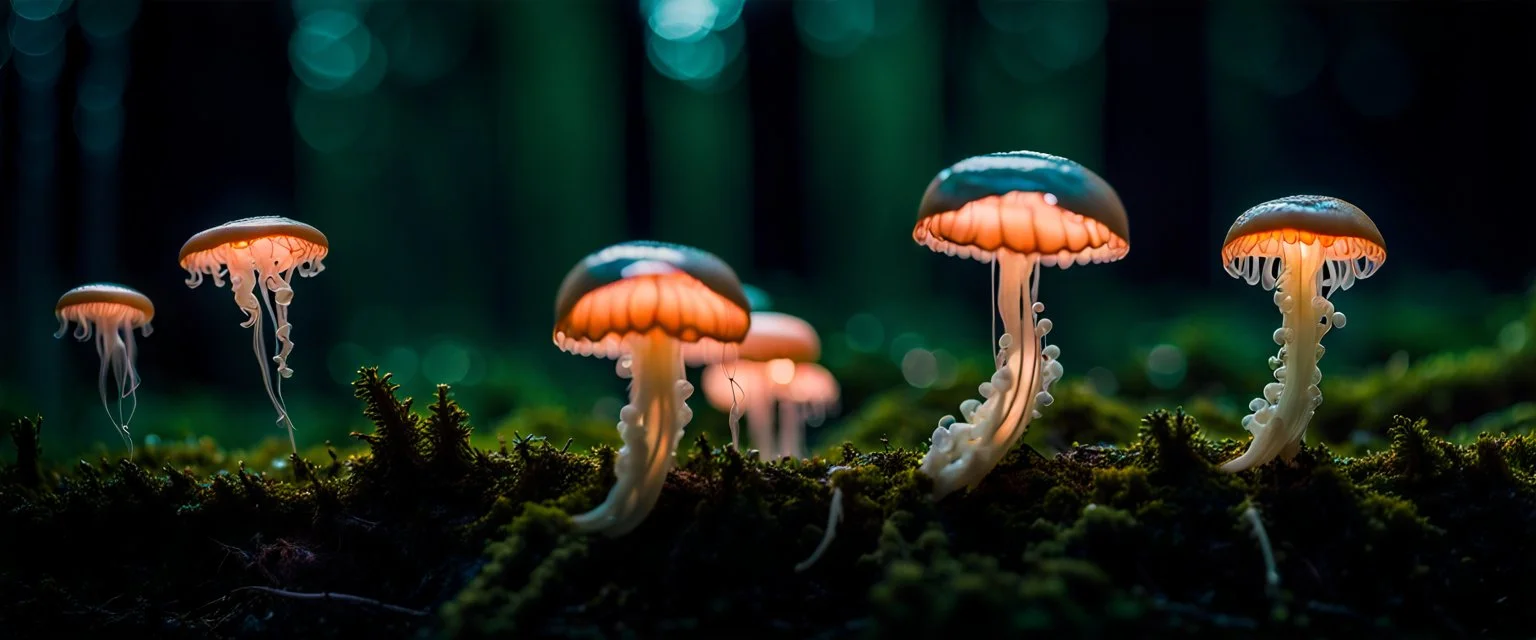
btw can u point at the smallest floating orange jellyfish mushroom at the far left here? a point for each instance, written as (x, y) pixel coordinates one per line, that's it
(111, 314)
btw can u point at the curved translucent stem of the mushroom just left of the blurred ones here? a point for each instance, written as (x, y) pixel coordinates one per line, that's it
(652, 427)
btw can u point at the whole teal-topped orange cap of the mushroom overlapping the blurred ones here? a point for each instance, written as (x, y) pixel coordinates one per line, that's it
(641, 288)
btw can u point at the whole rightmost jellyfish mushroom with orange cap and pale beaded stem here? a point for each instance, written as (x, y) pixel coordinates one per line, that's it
(1305, 248)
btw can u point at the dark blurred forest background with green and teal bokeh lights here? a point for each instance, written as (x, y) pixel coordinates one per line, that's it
(462, 156)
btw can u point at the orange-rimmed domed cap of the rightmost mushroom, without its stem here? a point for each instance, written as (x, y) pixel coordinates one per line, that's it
(1343, 229)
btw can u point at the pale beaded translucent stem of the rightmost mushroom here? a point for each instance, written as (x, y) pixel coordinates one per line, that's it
(1280, 418)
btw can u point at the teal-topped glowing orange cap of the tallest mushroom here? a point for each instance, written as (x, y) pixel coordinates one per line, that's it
(1027, 203)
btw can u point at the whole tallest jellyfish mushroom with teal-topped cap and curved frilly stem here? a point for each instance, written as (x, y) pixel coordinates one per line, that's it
(1019, 211)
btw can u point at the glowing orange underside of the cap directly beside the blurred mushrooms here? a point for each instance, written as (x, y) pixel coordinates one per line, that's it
(675, 303)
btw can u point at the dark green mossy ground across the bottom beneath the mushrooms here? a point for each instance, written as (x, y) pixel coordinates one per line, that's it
(1420, 539)
